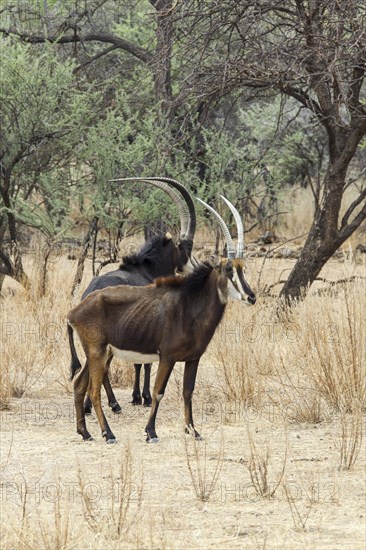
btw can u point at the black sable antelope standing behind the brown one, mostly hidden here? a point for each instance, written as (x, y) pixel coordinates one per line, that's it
(159, 257)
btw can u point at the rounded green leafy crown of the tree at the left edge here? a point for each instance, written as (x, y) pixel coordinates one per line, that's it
(36, 100)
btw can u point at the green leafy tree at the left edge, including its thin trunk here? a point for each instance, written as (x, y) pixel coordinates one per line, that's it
(41, 120)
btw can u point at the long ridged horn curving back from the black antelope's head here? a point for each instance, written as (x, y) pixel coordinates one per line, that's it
(187, 218)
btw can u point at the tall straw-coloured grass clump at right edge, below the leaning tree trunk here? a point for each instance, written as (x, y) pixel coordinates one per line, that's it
(331, 353)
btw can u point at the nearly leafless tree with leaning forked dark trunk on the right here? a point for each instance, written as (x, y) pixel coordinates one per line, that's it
(315, 52)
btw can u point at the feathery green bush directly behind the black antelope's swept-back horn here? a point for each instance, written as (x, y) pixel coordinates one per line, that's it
(122, 144)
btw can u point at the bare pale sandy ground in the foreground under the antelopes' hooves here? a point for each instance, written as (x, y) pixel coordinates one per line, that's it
(42, 454)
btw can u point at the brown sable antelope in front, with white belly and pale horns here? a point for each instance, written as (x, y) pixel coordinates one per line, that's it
(171, 320)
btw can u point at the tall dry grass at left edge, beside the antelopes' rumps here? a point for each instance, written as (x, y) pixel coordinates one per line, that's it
(33, 337)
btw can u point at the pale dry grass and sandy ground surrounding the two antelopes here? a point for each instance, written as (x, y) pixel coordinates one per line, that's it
(271, 385)
